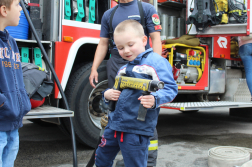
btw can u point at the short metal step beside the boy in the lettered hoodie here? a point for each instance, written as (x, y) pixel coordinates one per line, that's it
(48, 112)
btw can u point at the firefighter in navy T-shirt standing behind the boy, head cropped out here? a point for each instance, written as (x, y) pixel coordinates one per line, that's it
(126, 9)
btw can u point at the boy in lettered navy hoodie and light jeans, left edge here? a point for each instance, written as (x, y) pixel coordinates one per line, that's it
(14, 101)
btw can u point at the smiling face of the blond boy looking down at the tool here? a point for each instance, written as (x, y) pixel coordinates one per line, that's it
(129, 44)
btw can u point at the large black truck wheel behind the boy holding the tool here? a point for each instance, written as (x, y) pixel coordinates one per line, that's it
(86, 102)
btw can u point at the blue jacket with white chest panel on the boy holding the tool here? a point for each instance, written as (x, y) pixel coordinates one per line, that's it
(153, 67)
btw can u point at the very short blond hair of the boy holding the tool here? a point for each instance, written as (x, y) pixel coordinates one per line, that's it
(126, 24)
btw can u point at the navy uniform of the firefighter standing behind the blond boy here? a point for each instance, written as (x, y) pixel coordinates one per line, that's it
(151, 23)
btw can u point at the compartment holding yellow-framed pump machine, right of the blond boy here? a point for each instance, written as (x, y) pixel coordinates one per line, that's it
(190, 65)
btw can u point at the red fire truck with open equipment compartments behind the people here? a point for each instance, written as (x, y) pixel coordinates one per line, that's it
(208, 75)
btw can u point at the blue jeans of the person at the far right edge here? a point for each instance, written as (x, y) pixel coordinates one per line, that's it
(245, 52)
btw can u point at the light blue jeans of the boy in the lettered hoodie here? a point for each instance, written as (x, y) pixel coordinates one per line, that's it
(9, 145)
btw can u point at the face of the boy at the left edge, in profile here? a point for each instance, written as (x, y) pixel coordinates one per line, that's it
(13, 14)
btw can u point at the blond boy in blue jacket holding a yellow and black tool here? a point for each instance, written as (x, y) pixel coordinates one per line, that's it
(124, 132)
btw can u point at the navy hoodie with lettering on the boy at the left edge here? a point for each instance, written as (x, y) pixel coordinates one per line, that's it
(12, 89)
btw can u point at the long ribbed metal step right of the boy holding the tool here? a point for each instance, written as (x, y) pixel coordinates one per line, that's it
(189, 106)
